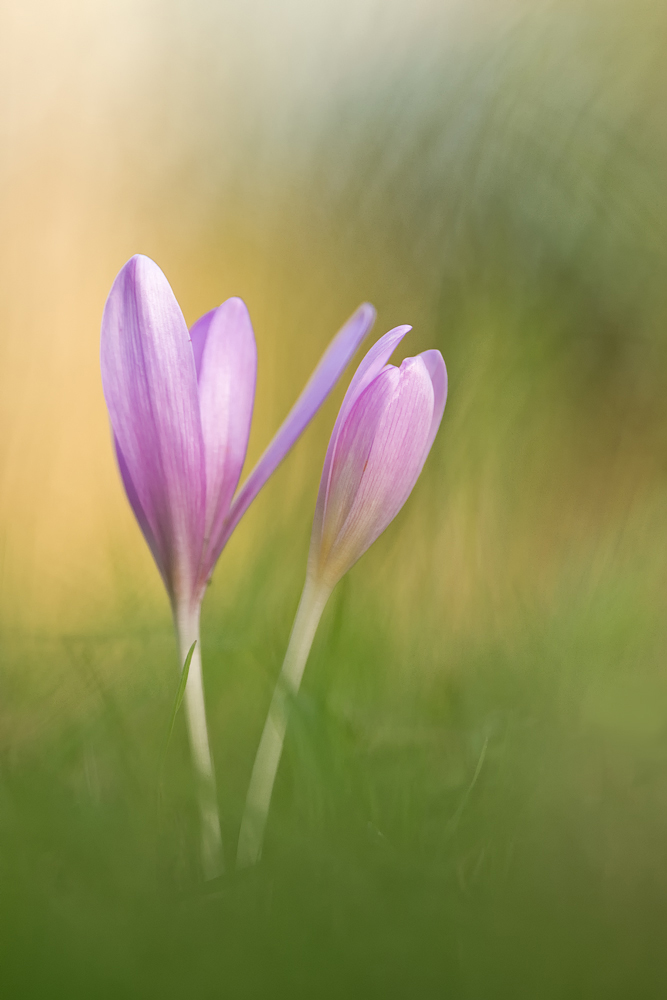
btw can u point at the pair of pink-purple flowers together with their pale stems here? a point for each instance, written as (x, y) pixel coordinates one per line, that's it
(180, 404)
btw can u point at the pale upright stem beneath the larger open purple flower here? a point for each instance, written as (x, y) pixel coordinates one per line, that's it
(187, 626)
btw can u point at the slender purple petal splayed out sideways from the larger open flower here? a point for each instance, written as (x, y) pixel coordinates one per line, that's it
(318, 387)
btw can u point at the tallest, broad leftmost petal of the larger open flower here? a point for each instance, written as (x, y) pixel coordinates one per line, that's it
(150, 387)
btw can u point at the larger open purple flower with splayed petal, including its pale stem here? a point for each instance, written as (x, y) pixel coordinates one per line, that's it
(180, 405)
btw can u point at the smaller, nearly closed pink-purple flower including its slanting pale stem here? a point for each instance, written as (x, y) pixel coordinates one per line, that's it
(381, 439)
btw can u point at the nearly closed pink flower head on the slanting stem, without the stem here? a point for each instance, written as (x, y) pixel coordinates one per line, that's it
(383, 434)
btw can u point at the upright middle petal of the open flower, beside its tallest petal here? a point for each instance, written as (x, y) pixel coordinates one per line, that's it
(227, 375)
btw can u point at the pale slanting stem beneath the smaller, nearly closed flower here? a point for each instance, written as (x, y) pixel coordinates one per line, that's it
(311, 606)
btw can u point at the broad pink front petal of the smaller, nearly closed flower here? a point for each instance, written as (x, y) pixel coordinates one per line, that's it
(370, 482)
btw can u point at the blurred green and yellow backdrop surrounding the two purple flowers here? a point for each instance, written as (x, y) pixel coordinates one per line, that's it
(473, 800)
